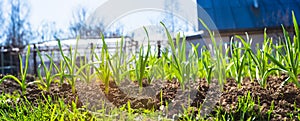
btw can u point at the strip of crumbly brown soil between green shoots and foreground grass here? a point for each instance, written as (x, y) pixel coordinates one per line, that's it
(119, 94)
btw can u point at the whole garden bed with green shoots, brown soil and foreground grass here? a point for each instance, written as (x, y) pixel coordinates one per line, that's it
(241, 84)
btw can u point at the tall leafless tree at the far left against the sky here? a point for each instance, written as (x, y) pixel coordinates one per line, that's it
(18, 32)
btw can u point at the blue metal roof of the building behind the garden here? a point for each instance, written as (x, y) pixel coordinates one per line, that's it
(241, 14)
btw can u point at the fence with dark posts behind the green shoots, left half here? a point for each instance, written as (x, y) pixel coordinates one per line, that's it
(9, 57)
